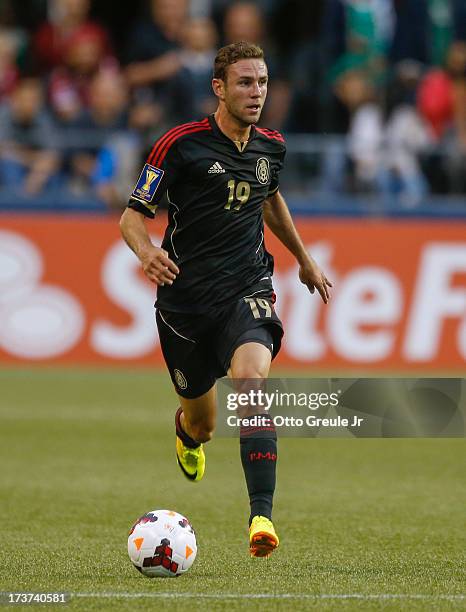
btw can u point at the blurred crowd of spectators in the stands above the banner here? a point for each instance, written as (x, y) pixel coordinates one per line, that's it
(85, 88)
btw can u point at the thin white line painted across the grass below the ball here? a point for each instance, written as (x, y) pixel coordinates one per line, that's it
(308, 596)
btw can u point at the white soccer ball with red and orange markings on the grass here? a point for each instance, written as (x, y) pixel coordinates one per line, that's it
(162, 543)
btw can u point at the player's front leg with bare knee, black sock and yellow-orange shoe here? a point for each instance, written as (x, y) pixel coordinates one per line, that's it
(258, 452)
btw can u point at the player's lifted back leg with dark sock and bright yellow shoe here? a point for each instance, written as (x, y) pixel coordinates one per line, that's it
(195, 423)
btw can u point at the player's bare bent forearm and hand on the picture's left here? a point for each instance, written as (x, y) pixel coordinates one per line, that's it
(157, 266)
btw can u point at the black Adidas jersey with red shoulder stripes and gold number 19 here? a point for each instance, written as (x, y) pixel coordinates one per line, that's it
(215, 233)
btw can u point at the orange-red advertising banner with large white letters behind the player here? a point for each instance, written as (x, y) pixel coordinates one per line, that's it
(72, 292)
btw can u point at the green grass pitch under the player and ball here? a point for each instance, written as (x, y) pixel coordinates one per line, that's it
(364, 524)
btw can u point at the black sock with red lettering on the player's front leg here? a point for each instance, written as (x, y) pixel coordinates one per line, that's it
(258, 447)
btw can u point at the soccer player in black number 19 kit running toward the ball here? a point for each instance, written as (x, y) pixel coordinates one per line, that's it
(214, 307)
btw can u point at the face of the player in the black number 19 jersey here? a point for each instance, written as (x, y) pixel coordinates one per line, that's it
(246, 89)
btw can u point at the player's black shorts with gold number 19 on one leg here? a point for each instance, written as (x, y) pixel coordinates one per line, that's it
(198, 348)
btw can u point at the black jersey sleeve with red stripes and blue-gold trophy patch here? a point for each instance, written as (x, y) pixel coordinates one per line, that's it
(159, 172)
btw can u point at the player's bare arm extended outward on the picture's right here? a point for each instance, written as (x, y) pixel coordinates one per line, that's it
(278, 218)
